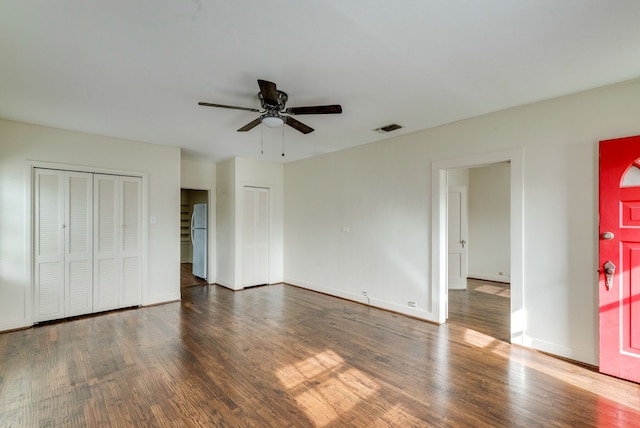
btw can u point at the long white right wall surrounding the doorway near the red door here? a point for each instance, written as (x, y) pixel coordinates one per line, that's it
(381, 192)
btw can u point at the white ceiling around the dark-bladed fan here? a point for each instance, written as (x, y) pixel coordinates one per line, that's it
(136, 69)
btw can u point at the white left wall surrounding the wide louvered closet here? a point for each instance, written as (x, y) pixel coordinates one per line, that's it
(23, 144)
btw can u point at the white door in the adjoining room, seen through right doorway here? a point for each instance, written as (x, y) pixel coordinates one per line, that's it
(457, 230)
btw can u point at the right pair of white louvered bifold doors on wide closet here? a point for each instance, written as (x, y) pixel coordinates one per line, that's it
(117, 243)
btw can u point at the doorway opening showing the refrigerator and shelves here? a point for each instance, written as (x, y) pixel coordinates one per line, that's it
(194, 237)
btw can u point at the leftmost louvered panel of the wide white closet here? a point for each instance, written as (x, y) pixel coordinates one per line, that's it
(49, 245)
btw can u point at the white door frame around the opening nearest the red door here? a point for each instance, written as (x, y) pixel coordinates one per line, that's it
(440, 295)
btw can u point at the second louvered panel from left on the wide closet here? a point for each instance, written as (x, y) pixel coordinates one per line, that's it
(78, 243)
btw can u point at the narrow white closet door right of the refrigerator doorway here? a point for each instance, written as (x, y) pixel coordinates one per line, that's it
(255, 236)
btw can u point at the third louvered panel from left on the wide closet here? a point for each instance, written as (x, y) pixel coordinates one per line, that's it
(106, 238)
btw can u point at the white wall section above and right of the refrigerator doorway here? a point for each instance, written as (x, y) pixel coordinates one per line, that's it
(201, 175)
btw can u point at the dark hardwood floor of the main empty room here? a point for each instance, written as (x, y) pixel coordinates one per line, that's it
(277, 356)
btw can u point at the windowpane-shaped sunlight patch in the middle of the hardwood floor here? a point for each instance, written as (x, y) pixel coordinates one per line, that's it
(325, 387)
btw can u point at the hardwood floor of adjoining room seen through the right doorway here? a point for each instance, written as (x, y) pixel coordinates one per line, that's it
(484, 306)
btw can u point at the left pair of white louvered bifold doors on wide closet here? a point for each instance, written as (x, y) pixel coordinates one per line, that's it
(63, 244)
